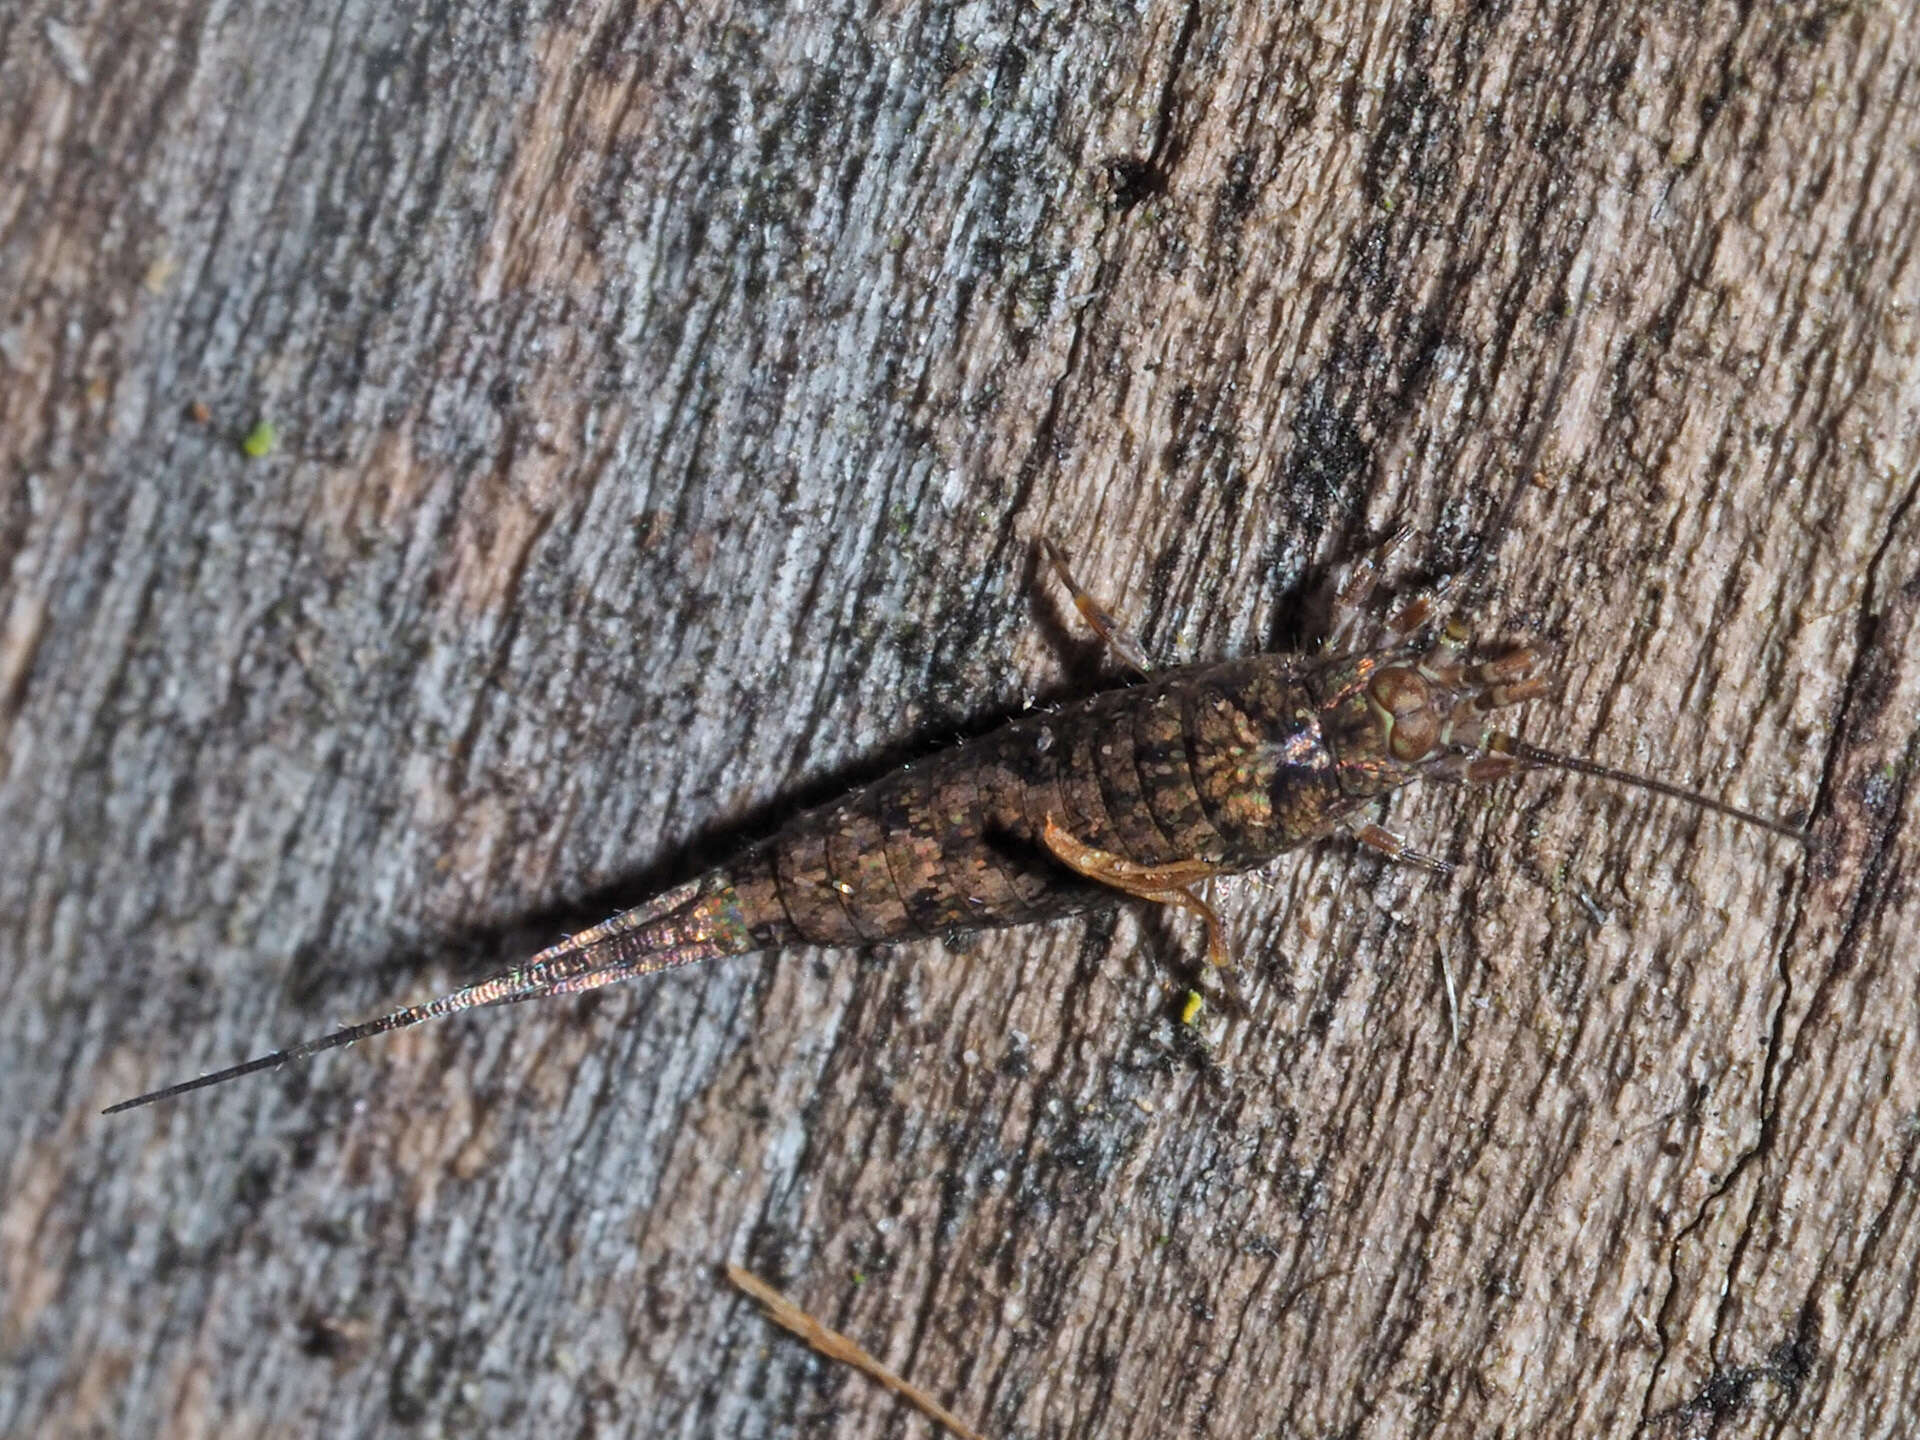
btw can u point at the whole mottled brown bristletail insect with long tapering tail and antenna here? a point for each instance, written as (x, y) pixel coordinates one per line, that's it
(1140, 792)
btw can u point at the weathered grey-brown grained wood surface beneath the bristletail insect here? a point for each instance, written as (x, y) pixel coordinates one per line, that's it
(667, 406)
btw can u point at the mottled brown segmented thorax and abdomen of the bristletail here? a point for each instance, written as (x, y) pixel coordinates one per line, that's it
(1180, 769)
